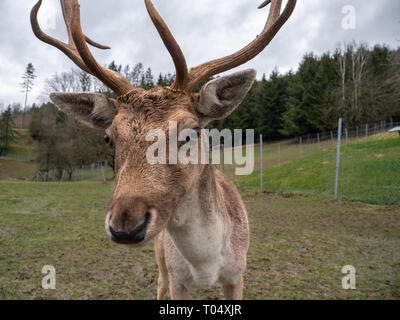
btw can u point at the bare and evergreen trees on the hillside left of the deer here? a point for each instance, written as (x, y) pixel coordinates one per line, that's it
(63, 143)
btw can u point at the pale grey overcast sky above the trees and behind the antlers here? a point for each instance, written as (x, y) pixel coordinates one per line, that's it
(205, 29)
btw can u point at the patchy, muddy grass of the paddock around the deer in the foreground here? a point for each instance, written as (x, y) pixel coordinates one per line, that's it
(298, 246)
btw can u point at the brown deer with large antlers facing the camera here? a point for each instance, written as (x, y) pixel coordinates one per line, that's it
(194, 213)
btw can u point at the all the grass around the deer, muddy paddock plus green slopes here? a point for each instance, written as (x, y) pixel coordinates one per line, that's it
(300, 239)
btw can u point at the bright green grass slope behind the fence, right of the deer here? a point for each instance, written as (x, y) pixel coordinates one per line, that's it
(369, 171)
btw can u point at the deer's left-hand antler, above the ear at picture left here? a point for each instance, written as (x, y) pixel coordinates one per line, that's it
(77, 49)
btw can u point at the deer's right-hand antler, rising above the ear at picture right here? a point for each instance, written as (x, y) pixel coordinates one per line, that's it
(188, 80)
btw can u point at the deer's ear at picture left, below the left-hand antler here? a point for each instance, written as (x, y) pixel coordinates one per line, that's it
(94, 110)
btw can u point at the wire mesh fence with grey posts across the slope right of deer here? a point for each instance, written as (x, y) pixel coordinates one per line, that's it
(369, 167)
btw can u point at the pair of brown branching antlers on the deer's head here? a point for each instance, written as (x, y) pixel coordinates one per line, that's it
(77, 49)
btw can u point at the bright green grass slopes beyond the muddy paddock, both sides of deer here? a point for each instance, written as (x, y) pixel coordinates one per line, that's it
(369, 170)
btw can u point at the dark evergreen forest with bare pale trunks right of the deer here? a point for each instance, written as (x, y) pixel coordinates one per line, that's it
(358, 83)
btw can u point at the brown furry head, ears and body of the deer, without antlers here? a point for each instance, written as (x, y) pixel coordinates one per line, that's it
(196, 214)
